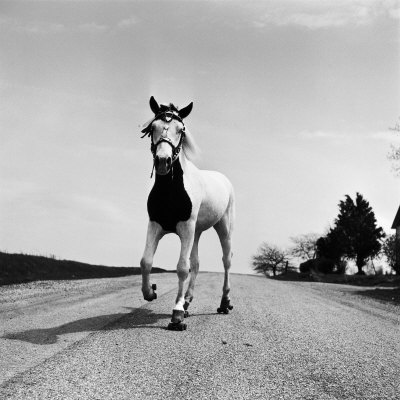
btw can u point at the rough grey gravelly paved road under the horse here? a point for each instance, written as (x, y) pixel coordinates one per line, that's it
(98, 340)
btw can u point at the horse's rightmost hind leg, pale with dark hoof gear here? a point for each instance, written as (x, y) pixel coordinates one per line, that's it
(224, 231)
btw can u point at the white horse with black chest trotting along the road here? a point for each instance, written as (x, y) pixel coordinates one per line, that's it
(186, 201)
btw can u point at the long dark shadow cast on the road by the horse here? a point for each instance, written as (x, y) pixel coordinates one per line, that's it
(137, 318)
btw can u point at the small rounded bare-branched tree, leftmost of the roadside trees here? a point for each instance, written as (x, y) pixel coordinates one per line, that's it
(268, 259)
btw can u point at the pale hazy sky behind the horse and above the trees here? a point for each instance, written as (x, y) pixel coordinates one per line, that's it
(292, 101)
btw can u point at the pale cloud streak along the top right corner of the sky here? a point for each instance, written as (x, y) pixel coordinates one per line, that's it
(323, 14)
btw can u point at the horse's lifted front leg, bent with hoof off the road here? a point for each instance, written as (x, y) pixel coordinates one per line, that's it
(154, 234)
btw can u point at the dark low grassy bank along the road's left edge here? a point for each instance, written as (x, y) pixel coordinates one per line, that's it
(20, 268)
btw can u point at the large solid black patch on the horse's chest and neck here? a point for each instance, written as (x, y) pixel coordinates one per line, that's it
(168, 201)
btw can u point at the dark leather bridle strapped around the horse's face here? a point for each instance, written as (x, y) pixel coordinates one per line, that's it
(167, 116)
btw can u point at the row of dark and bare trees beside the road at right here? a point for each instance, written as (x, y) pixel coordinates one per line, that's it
(354, 236)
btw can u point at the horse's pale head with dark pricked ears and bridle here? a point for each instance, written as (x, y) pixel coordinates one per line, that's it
(167, 132)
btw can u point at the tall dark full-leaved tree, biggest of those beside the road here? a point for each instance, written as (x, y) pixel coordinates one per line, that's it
(357, 228)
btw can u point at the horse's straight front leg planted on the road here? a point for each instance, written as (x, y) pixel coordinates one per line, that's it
(185, 232)
